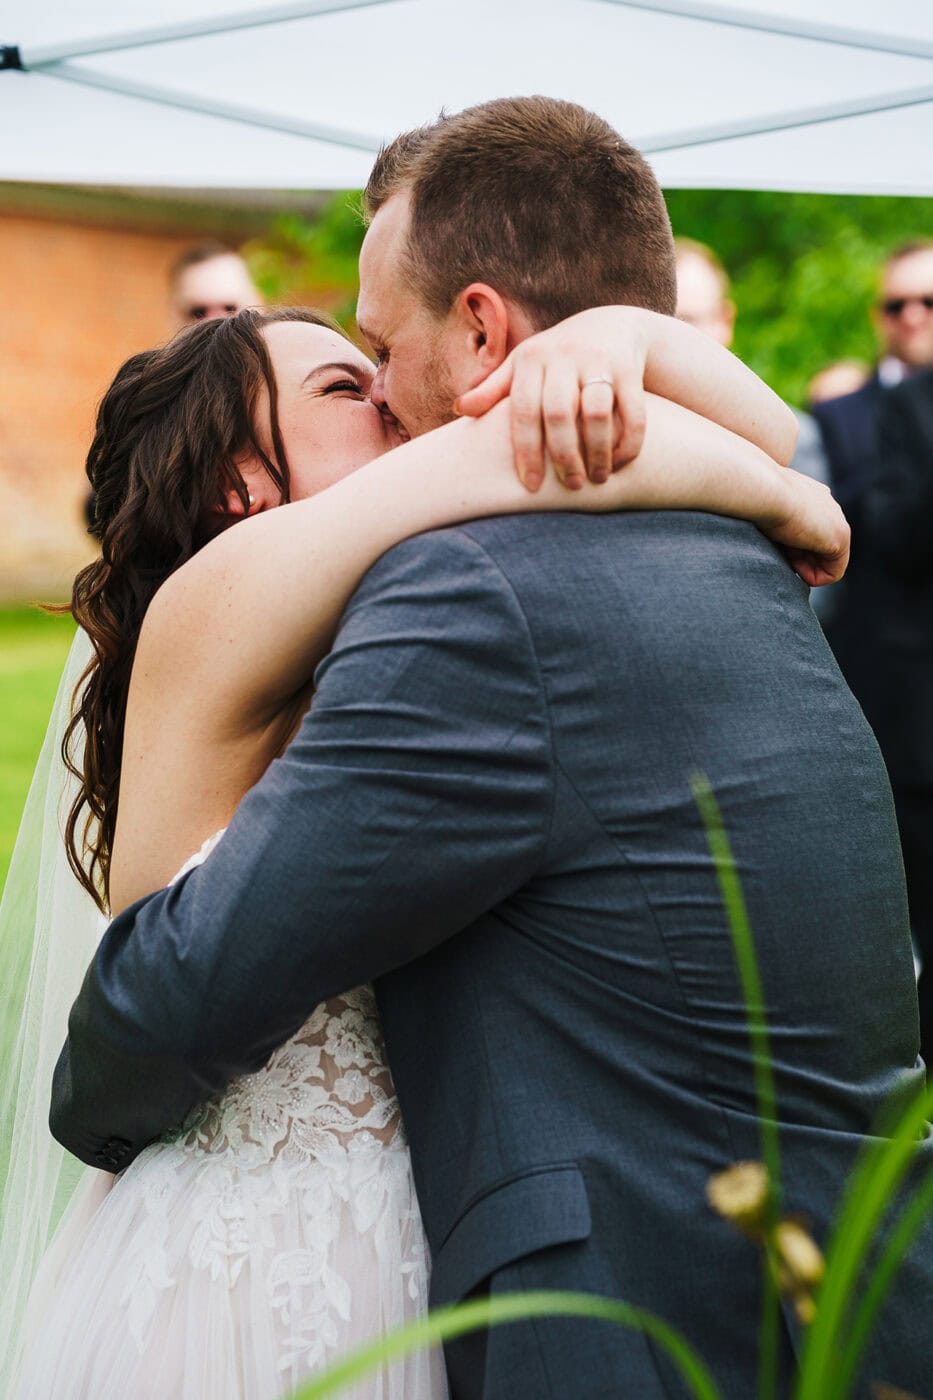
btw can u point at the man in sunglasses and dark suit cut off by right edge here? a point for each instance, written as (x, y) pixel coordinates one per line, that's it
(882, 629)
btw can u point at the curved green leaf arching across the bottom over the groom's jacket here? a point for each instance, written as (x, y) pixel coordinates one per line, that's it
(448, 1324)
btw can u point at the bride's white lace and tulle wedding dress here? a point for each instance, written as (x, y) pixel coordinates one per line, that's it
(235, 1259)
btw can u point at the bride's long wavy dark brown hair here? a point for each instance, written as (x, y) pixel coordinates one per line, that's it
(170, 432)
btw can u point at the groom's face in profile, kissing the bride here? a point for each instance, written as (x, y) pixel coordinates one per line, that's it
(422, 366)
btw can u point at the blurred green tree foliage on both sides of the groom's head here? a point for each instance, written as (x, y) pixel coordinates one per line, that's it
(803, 268)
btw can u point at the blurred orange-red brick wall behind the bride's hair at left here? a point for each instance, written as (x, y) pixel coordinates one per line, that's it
(75, 303)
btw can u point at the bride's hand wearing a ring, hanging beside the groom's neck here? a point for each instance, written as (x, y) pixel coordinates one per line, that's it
(576, 397)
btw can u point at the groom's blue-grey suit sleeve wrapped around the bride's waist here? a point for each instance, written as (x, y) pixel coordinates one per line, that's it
(417, 796)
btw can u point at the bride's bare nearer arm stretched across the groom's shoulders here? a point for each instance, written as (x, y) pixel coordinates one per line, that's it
(230, 642)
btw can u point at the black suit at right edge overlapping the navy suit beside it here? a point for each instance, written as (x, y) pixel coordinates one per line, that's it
(899, 519)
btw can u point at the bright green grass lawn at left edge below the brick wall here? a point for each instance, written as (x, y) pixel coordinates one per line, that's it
(33, 652)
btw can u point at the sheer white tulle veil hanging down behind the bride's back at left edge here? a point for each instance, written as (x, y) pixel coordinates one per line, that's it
(50, 929)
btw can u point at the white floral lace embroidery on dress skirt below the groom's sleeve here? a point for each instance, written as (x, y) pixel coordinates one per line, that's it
(306, 1149)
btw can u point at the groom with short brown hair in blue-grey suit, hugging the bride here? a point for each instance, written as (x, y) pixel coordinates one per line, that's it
(488, 813)
